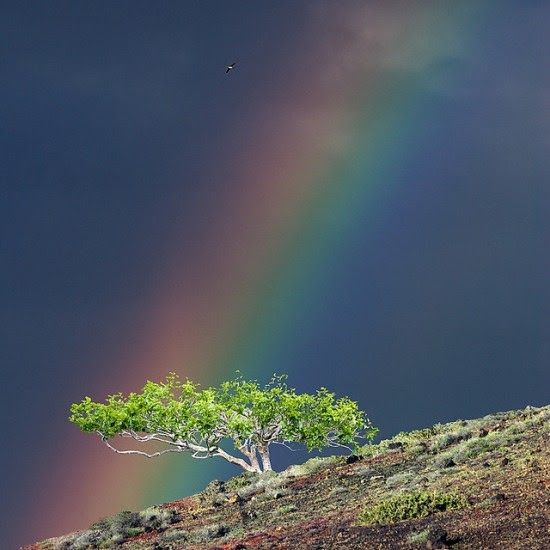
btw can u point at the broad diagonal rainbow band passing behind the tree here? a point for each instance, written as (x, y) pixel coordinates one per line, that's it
(323, 160)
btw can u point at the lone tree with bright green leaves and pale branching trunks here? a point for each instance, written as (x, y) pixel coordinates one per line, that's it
(180, 417)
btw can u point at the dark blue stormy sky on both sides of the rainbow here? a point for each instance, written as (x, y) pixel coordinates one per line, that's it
(113, 119)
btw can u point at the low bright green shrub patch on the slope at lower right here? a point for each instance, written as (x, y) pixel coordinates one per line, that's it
(411, 505)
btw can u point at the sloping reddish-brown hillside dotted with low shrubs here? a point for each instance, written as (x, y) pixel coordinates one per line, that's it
(481, 483)
